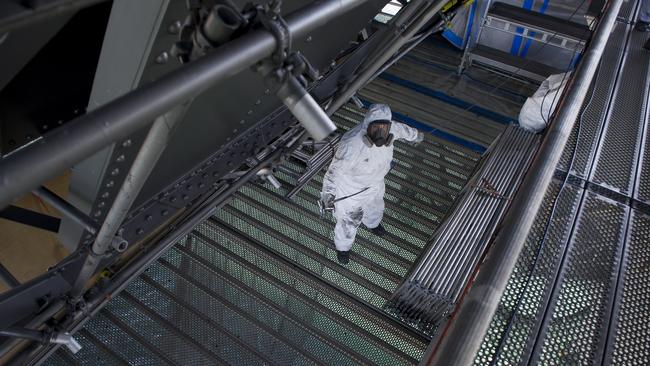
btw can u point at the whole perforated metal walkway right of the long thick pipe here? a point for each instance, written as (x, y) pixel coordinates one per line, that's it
(579, 294)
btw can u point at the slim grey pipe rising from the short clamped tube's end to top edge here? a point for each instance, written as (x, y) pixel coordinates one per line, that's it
(383, 57)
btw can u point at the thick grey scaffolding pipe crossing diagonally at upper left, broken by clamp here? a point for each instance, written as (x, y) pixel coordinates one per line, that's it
(60, 149)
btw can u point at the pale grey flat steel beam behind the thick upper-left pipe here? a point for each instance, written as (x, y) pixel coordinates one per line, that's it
(127, 47)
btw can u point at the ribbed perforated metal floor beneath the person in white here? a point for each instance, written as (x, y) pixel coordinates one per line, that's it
(259, 282)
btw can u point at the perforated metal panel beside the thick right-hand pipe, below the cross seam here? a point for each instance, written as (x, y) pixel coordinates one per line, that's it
(516, 323)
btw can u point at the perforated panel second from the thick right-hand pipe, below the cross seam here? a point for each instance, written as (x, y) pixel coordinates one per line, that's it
(575, 325)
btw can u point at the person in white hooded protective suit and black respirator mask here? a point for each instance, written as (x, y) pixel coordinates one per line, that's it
(354, 183)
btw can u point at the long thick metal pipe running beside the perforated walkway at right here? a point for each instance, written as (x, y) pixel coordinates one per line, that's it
(461, 342)
